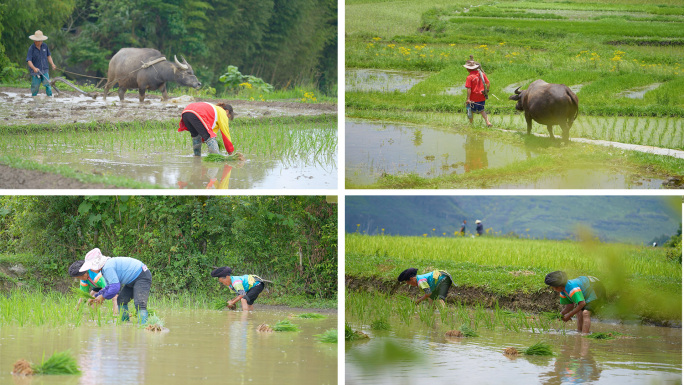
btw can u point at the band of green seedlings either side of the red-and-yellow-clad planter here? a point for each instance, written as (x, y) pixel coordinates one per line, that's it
(313, 139)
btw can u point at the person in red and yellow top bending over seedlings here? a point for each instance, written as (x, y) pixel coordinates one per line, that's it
(205, 121)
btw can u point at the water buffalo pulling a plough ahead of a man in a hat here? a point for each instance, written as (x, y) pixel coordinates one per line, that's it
(131, 68)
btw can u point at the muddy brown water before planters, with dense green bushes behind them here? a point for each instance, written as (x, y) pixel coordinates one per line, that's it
(201, 347)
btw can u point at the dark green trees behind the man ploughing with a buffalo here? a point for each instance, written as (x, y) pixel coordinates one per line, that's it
(285, 42)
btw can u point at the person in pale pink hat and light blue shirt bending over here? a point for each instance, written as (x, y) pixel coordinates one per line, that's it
(128, 277)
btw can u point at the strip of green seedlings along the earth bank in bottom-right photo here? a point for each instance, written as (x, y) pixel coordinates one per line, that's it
(380, 310)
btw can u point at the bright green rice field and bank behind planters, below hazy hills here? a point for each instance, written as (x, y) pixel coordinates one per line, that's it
(641, 282)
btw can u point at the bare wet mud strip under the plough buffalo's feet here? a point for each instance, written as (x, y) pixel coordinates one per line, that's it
(17, 107)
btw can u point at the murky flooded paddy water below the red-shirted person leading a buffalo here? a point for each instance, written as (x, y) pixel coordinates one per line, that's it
(376, 149)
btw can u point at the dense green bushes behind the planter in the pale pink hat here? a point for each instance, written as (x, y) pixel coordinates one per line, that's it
(291, 241)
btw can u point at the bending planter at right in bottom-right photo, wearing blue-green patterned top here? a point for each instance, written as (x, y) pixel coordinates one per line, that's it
(581, 296)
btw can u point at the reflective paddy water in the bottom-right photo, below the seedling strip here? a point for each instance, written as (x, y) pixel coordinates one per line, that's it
(408, 355)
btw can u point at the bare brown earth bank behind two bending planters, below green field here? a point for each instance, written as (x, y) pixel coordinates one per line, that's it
(542, 301)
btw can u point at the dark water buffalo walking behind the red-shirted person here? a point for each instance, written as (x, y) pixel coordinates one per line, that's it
(548, 104)
